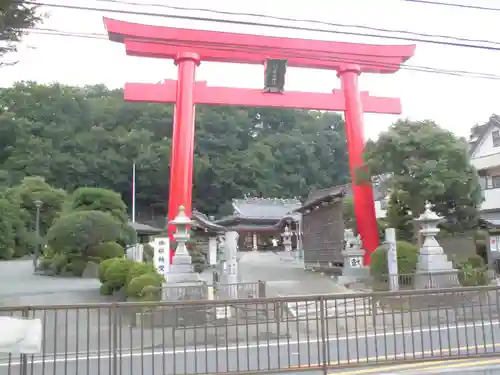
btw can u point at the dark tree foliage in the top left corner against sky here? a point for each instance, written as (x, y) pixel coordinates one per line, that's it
(15, 18)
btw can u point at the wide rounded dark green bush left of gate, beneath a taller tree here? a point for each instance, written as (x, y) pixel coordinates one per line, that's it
(78, 232)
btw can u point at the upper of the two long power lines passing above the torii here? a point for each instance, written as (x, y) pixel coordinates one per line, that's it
(302, 20)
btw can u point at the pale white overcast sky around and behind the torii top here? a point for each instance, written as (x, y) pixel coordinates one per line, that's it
(455, 102)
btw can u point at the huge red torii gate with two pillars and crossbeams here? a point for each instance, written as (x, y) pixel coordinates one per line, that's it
(189, 47)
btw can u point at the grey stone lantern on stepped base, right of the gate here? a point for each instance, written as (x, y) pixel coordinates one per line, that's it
(434, 270)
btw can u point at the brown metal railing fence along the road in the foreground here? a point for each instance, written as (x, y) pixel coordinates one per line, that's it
(260, 334)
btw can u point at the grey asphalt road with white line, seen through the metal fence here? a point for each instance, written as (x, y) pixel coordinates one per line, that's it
(479, 338)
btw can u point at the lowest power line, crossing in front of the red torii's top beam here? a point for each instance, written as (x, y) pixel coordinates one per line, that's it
(257, 50)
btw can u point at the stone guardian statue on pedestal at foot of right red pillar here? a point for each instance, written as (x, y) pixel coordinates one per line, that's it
(353, 270)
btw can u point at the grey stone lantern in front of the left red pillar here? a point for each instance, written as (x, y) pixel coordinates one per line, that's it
(181, 273)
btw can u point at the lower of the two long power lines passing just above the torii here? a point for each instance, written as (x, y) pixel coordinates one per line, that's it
(261, 24)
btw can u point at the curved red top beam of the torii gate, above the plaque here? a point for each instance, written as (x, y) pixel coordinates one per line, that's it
(167, 42)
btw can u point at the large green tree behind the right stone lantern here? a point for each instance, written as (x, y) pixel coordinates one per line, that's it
(423, 162)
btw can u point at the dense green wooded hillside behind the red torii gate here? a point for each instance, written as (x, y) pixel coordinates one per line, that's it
(88, 137)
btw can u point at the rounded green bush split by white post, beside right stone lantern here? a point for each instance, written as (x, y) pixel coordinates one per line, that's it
(407, 255)
